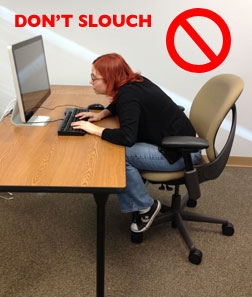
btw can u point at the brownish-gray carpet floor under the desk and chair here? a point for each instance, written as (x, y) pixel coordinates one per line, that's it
(48, 246)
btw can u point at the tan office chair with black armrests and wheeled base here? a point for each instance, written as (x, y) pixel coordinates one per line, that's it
(209, 108)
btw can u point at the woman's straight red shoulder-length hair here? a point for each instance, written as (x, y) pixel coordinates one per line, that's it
(115, 72)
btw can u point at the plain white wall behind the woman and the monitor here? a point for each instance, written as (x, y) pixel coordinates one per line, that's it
(70, 51)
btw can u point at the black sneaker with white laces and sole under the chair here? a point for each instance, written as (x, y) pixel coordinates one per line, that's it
(142, 222)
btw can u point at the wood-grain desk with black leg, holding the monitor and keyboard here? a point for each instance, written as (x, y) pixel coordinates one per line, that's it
(36, 159)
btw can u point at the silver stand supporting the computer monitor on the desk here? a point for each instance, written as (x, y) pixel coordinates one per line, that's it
(34, 121)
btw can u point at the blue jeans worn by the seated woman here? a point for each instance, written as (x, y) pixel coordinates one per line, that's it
(146, 157)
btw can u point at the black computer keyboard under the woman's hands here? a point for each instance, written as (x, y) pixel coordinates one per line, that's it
(65, 127)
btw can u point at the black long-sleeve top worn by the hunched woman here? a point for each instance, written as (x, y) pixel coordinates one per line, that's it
(146, 114)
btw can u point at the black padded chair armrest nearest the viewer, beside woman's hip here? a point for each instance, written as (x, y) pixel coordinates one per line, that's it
(184, 142)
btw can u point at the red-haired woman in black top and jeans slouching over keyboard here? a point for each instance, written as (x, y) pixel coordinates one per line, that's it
(146, 115)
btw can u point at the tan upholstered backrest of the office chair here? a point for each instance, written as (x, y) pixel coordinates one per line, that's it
(212, 104)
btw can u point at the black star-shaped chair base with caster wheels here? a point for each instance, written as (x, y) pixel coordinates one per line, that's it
(176, 215)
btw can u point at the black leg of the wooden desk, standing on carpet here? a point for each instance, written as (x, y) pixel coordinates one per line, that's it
(100, 200)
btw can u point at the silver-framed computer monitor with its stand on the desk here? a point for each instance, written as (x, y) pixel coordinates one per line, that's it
(28, 64)
